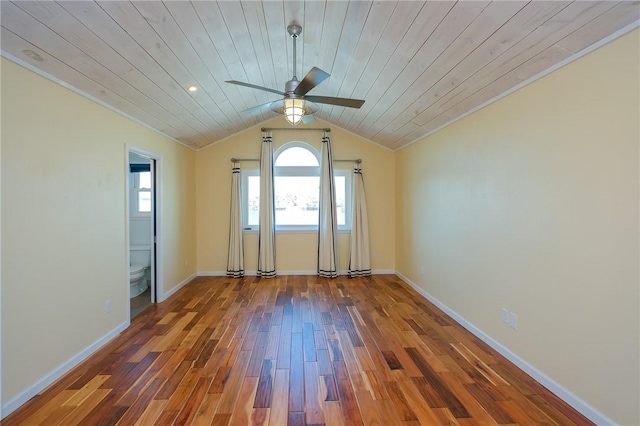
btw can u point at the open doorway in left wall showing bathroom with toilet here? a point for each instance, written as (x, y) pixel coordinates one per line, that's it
(142, 235)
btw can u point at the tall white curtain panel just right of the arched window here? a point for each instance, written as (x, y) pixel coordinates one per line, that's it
(327, 221)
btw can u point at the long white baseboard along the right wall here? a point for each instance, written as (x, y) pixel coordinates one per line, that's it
(564, 394)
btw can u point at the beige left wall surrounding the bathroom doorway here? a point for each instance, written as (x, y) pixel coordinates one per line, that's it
(63, 222)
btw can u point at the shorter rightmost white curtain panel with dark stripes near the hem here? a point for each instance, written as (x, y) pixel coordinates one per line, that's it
(359, 255)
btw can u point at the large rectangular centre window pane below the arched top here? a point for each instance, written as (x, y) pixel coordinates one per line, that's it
(296, 200)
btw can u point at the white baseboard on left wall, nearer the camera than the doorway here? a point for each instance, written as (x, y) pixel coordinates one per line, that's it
(59, 371)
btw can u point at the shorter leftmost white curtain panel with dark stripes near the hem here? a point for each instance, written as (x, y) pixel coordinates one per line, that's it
(235, 258)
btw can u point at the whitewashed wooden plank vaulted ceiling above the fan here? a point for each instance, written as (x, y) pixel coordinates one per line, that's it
(418, 65)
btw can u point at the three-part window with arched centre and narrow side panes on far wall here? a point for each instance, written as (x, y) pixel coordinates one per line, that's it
(296, 190)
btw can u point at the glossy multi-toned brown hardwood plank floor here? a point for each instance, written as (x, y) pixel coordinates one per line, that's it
(297, 350)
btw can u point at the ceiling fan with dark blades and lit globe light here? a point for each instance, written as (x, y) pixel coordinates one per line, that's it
(296, 105)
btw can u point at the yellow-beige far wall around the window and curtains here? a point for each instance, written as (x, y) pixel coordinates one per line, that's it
(295, 252)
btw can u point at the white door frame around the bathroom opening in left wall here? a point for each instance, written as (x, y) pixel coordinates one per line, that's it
(155, 223)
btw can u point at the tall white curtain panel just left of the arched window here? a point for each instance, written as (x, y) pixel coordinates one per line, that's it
(267, 223)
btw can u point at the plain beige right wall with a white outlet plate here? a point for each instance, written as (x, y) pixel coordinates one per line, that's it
(531, 204)
